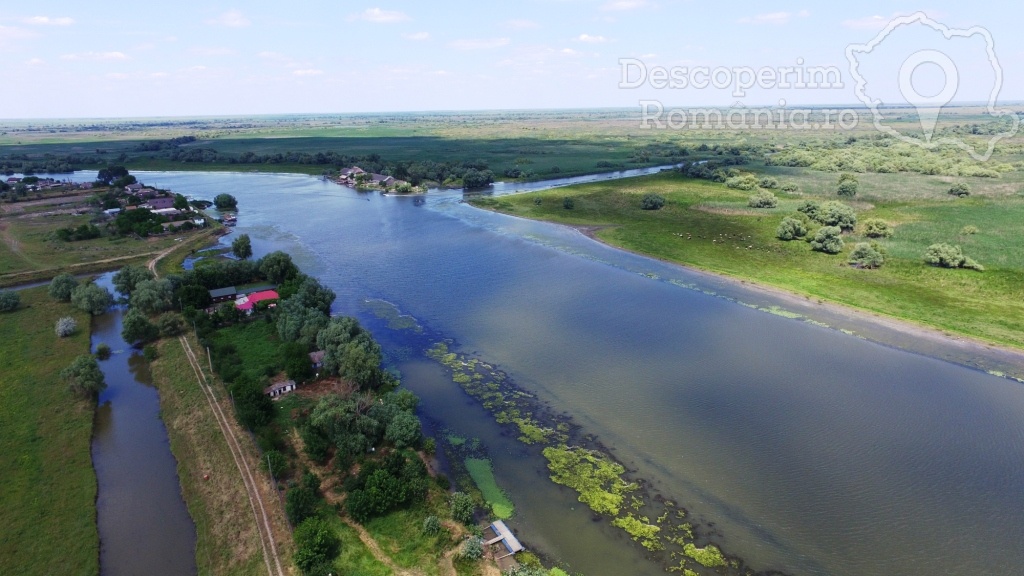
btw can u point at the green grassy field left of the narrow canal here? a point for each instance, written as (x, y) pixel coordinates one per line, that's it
(48, 506)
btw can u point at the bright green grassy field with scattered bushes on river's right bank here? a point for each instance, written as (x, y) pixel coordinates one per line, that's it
(708, 226)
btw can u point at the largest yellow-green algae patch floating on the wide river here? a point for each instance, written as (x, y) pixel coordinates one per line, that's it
(598, 479)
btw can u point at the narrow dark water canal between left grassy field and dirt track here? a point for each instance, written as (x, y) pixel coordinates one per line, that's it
(145, 527)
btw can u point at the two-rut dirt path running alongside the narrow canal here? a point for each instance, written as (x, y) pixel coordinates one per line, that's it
(252, 488)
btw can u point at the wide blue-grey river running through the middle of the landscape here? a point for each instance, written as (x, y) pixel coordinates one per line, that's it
(812, 451)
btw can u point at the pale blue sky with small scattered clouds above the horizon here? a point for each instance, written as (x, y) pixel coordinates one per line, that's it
(116, 59)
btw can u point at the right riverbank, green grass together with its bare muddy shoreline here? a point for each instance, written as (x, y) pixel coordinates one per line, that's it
(739, 246)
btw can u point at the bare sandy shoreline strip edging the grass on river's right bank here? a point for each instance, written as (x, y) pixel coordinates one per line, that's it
(965, 346)
